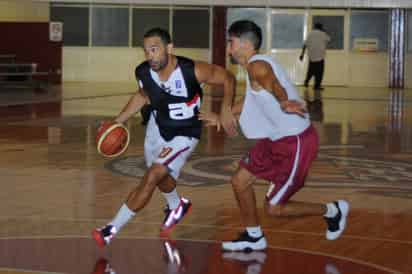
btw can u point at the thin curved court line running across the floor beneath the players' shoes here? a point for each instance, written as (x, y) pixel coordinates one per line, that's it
(318, 253)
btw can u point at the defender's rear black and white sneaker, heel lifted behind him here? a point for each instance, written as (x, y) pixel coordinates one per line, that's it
(337, 224)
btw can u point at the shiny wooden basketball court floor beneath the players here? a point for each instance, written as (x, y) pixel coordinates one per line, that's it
(55, 189)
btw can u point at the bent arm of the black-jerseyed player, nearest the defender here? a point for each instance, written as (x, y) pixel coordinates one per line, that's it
(216, 75)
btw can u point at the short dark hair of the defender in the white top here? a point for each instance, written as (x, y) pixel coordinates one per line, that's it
(249, 30)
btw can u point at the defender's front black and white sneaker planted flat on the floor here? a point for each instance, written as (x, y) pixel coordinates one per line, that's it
(246, 243)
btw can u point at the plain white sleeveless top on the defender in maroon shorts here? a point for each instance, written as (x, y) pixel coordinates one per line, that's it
(262, 116)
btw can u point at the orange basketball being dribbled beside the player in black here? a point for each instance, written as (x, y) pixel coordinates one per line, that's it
(112, 139)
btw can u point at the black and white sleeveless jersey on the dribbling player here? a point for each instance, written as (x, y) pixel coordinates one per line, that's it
(176, 102)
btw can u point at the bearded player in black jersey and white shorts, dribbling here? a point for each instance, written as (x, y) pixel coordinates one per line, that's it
(171, 85)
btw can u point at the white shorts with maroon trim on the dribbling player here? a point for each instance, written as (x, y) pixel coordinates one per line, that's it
(173, 154)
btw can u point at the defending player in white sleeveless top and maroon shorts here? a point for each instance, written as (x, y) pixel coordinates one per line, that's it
(273, 113)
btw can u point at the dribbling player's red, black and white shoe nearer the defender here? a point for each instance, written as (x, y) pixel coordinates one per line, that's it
(173, 217)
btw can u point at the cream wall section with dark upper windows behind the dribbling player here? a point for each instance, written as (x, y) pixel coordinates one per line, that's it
(103, 42)
